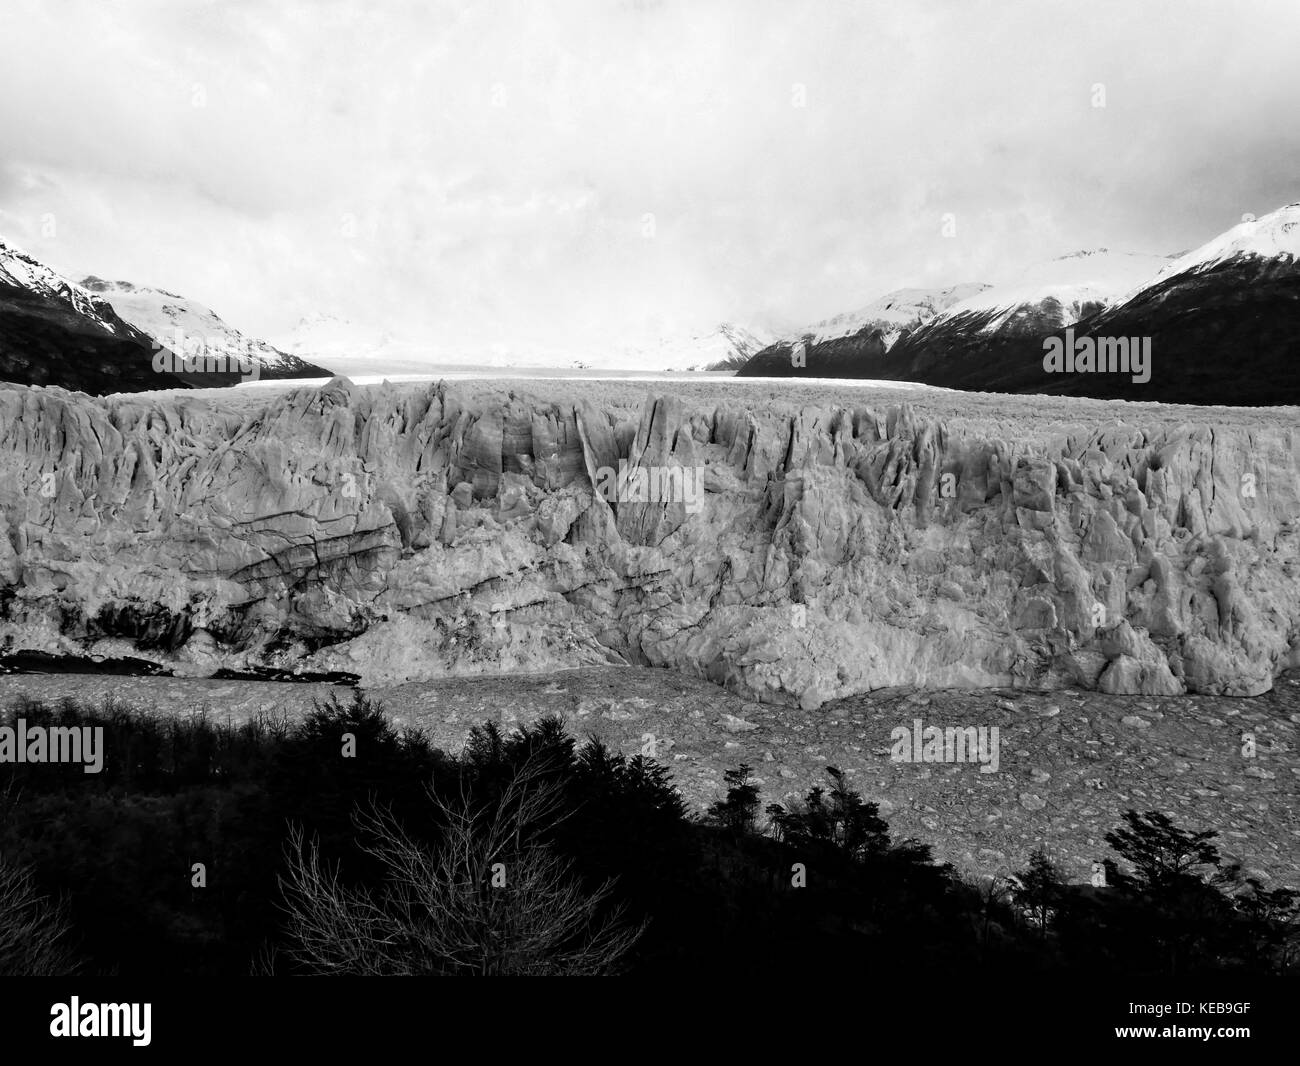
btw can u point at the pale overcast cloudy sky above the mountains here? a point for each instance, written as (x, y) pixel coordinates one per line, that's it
(558, 174)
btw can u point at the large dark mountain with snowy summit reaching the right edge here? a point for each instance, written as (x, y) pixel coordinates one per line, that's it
(1217, 326)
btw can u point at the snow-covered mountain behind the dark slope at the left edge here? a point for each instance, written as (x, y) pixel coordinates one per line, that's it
(175, 322)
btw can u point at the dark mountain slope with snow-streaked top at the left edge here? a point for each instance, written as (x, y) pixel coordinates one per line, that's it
(54, 332)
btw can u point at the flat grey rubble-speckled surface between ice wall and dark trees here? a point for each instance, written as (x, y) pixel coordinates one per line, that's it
(1071, 762)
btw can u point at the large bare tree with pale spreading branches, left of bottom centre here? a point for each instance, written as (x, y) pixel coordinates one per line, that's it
(491, 898)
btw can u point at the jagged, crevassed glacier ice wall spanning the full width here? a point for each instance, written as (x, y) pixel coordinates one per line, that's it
(411, 532)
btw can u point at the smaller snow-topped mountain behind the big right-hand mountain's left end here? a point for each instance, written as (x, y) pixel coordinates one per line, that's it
(852, 345)
